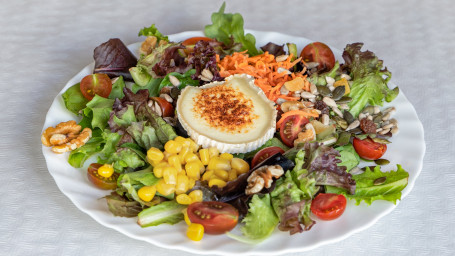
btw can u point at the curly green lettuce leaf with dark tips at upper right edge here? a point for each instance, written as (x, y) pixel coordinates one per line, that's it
(369, 84)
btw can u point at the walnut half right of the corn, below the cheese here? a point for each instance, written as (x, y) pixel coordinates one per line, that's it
(262, 177)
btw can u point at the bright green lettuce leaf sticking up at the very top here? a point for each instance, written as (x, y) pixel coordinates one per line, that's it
(227, 25)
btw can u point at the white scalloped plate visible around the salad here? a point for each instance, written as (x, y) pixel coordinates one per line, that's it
(407, 149)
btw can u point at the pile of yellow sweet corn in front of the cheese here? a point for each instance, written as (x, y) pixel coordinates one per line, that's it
(182, 163)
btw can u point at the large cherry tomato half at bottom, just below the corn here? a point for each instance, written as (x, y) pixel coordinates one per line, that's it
(216, 217)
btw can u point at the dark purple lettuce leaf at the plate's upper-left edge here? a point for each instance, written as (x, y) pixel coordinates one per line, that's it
(114, 59)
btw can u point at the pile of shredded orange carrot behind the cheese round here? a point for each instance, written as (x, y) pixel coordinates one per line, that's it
(264, 68)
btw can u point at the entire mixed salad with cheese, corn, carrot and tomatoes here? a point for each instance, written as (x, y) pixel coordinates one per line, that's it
(325, 121)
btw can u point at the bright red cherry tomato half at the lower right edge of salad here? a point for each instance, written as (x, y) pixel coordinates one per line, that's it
(328, 206)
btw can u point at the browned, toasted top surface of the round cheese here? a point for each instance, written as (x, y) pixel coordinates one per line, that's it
(225, 108)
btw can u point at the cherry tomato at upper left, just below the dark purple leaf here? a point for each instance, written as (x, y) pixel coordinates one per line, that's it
(99, 84)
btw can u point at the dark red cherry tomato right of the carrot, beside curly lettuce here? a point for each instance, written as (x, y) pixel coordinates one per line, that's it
(320, 53)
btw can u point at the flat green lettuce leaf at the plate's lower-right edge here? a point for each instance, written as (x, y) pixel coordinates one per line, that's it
(390, 190)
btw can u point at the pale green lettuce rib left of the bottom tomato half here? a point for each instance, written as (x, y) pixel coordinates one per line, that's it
(169, 212)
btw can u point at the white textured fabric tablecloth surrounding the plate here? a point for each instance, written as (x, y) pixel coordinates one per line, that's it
(44, 43)
